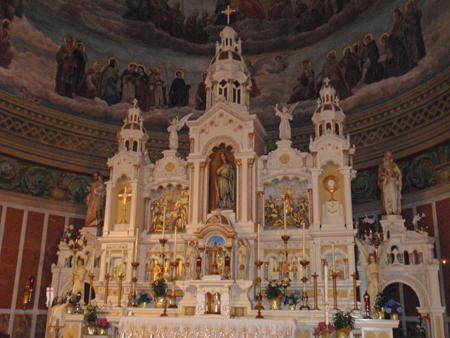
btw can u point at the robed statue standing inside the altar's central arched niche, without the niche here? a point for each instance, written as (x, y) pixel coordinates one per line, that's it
(224, 184)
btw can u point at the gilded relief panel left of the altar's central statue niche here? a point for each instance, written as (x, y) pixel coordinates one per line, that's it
(169, 207)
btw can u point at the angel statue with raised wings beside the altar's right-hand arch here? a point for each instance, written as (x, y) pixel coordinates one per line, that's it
(373, 265)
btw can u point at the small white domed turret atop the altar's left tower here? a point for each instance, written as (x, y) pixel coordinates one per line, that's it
(133, 136)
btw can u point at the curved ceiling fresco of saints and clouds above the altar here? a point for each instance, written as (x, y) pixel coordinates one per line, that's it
(91, 58)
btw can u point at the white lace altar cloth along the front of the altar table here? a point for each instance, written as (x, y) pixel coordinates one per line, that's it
(204, 327)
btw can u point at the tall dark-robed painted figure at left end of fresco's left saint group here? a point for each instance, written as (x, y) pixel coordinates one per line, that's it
(65, 71)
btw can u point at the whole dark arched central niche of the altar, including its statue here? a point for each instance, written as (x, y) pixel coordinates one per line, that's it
(222, 179)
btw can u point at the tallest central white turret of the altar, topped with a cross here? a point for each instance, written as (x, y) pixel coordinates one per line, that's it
(228, 78)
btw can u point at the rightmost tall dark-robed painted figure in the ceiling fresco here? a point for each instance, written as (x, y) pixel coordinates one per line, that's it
(413, 32)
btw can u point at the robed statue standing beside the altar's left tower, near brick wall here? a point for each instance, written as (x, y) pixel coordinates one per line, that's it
(95, 201)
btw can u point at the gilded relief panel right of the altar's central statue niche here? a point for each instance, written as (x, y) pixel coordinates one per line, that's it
(286, 199)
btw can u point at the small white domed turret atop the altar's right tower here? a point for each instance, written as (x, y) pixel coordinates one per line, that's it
(328, 117)
